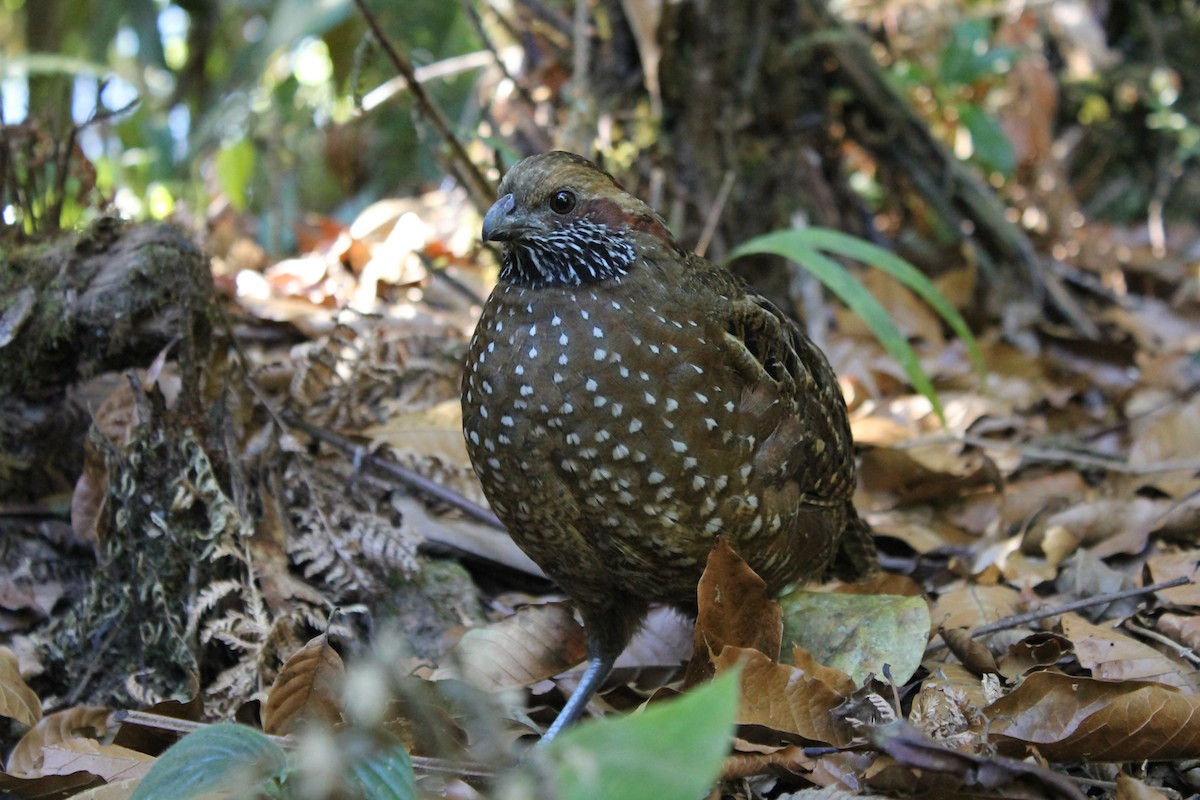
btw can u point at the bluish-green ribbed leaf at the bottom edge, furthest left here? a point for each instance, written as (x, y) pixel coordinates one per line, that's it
(220, 759)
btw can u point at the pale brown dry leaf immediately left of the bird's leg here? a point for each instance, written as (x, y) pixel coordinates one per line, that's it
(537, 643)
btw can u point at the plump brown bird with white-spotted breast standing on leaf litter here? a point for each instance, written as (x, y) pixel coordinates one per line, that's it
(627, 402)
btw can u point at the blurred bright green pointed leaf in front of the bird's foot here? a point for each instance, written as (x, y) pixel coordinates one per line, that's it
(671, 751)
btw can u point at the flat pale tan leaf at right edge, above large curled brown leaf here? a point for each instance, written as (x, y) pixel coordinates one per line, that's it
(1114, 655)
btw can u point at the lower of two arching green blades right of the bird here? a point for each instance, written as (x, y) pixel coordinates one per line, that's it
(797, 246)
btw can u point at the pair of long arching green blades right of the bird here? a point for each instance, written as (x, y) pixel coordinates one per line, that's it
(812, 250)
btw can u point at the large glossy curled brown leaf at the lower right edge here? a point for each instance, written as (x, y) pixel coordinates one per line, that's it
(1088, 719)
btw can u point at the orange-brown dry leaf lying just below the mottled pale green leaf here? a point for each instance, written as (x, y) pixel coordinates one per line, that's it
(794, 701)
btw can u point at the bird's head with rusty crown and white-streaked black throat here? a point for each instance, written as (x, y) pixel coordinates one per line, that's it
(565, 222)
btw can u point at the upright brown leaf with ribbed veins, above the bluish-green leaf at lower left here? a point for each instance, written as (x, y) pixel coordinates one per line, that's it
(308, 690)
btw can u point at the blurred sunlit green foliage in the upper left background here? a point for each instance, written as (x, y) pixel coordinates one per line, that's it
(253, 101)
